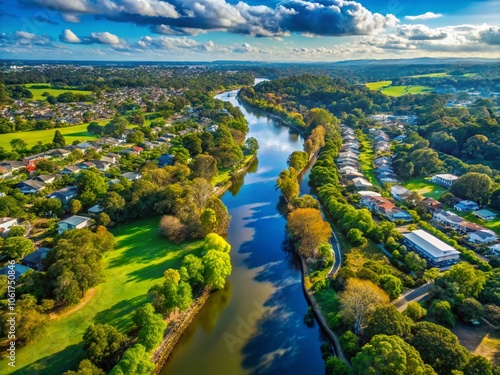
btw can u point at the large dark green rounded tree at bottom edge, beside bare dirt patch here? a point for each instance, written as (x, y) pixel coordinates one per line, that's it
(439, 347)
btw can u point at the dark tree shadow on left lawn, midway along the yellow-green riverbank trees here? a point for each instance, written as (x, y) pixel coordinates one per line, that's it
(120, 314)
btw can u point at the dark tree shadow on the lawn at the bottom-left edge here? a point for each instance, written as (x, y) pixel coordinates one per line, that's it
(57, 363)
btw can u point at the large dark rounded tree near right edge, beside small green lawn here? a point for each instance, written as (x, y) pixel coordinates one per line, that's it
(473, 186)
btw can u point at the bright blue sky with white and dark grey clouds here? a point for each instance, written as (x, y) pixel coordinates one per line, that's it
(258, 30)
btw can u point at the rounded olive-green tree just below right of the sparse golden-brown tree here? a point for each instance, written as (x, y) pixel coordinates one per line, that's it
(388, 320)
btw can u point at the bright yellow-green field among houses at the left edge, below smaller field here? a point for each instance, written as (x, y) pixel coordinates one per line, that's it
(71, 133)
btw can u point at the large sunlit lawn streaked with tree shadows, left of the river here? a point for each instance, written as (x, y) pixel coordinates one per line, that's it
(140, 258)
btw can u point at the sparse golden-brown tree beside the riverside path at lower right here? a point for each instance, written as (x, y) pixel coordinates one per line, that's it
(358, 301)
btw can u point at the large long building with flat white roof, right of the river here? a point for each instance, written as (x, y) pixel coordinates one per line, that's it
(432, 249)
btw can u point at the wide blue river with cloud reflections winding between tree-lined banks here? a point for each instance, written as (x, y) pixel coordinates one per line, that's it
(255, 325)
